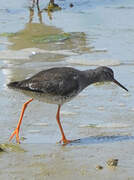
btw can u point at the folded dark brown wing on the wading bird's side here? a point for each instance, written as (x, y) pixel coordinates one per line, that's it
(51, 82)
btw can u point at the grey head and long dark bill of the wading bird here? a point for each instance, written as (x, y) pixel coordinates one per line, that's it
(106, 74)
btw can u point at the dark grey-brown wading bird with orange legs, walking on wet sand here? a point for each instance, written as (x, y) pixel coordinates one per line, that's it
(58, 86)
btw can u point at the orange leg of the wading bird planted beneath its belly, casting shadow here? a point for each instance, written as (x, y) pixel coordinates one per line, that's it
(63, 140)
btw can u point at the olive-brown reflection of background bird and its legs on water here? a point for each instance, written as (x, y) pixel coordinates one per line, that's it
(56, 39)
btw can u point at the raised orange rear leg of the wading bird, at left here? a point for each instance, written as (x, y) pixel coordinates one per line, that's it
(16, 131)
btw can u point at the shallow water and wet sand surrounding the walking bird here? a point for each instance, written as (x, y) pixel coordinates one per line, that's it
(101, 33)
